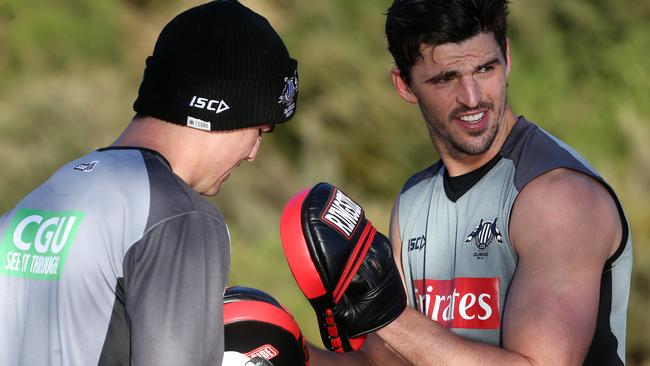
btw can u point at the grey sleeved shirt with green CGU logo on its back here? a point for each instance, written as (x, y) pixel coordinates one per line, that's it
(113, 260)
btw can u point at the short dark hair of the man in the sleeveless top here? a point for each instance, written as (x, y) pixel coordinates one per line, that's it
(409, 23)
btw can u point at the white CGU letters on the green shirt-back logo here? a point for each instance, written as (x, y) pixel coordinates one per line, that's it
(45, 235)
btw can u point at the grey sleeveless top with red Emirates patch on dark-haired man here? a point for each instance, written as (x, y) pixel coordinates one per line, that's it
(457, 256)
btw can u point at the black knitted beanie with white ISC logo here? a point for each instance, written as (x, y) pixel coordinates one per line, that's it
(219, 66)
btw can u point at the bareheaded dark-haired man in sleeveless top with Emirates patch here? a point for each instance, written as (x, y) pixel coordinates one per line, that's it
(512, 249)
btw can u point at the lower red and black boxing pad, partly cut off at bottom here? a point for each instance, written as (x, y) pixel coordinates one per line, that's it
(257, 325)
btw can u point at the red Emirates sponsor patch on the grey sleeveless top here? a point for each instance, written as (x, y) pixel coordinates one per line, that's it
(470, 303)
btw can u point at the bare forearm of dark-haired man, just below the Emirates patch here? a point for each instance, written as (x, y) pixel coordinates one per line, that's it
(424, 342)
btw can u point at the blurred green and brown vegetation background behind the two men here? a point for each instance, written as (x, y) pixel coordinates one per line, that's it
(69, 72)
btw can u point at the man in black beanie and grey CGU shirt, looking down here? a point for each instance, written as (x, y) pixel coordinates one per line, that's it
(116, 259)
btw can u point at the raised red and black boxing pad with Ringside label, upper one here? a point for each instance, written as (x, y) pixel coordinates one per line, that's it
(343, 266)
